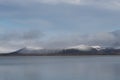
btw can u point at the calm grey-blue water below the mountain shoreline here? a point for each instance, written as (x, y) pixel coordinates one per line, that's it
(60, 68)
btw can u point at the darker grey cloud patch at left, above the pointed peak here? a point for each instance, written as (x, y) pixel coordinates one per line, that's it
(21, 35)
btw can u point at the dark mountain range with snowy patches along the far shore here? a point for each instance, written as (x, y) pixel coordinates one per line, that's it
(74, 50)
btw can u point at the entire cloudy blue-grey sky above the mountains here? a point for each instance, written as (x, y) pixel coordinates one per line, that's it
(55, 24)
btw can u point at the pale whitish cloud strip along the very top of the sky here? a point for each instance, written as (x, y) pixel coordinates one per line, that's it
(103, 3)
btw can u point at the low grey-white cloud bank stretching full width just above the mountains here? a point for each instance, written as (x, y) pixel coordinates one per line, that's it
(35, 38)
